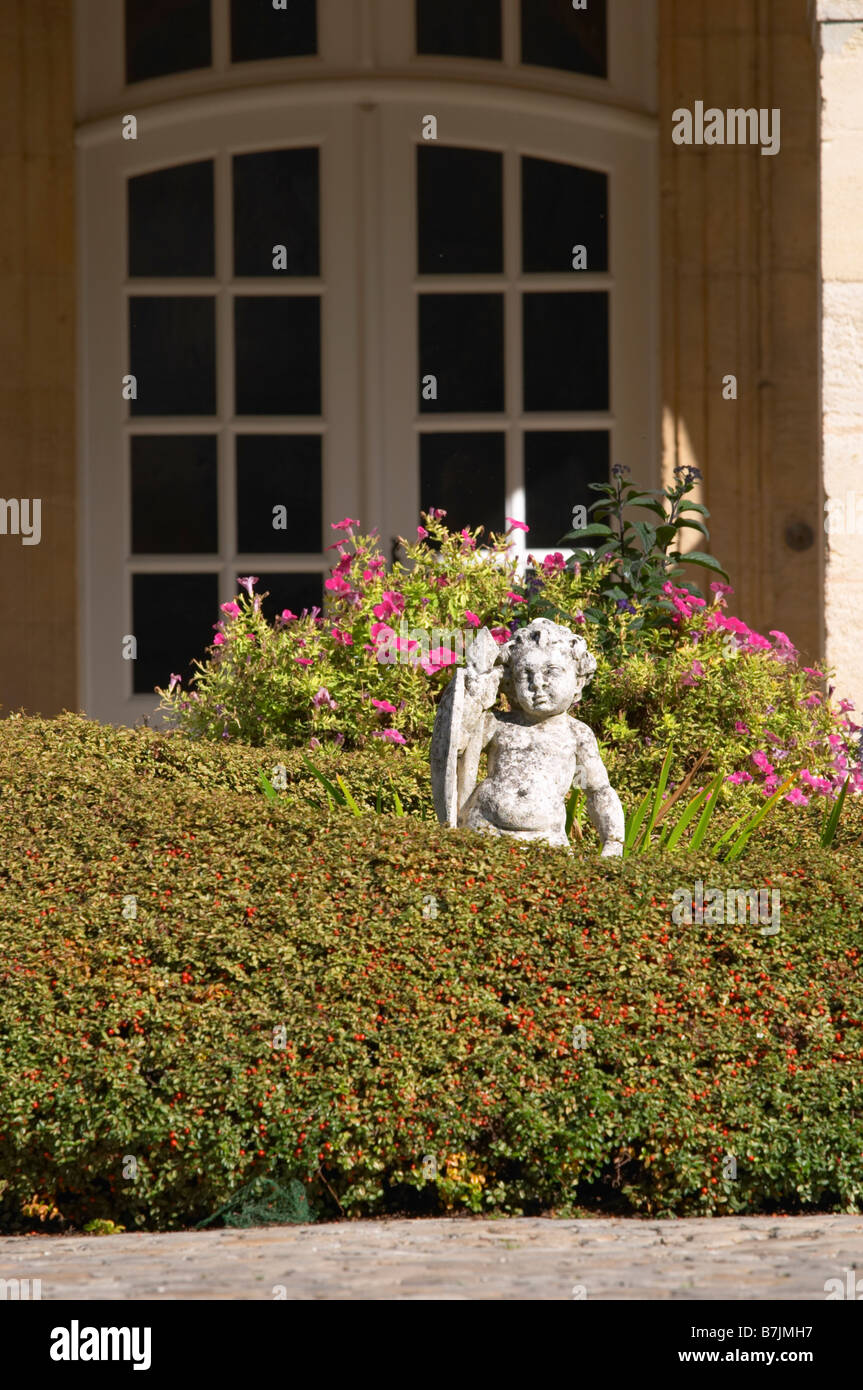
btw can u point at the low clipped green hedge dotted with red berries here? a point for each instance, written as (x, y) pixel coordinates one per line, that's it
(430, 986)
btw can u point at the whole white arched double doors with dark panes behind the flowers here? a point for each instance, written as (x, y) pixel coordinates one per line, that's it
(362, 258)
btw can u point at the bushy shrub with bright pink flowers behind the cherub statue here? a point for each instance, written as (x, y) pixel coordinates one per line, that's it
(673, 667)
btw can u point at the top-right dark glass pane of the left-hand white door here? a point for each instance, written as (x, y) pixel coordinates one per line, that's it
(276, 204)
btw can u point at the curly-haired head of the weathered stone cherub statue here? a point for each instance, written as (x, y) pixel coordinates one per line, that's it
(545, 668)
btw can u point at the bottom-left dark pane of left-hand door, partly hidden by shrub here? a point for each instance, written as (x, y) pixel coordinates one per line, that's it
(173, 618)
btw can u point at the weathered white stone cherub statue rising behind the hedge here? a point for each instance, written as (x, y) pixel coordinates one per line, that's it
(536, 753)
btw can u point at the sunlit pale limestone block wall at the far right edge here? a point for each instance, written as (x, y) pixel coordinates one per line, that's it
(840, 42)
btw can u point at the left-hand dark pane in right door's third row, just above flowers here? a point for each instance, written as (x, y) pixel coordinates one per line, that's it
(466, 476)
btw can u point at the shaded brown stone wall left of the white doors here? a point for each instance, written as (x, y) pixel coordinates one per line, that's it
(38, 600)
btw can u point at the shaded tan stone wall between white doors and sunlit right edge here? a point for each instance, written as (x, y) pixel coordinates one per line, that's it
(740, 297)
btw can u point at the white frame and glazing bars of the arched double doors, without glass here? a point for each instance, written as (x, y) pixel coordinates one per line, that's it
(368, 122)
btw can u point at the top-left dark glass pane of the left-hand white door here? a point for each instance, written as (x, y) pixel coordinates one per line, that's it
(172, 222)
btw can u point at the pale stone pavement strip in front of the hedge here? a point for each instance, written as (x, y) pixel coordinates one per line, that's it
(730, 1259)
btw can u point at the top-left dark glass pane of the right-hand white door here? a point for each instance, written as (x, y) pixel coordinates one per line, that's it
(459, 211)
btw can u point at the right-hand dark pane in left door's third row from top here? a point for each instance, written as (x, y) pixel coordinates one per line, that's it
(279, 472)
